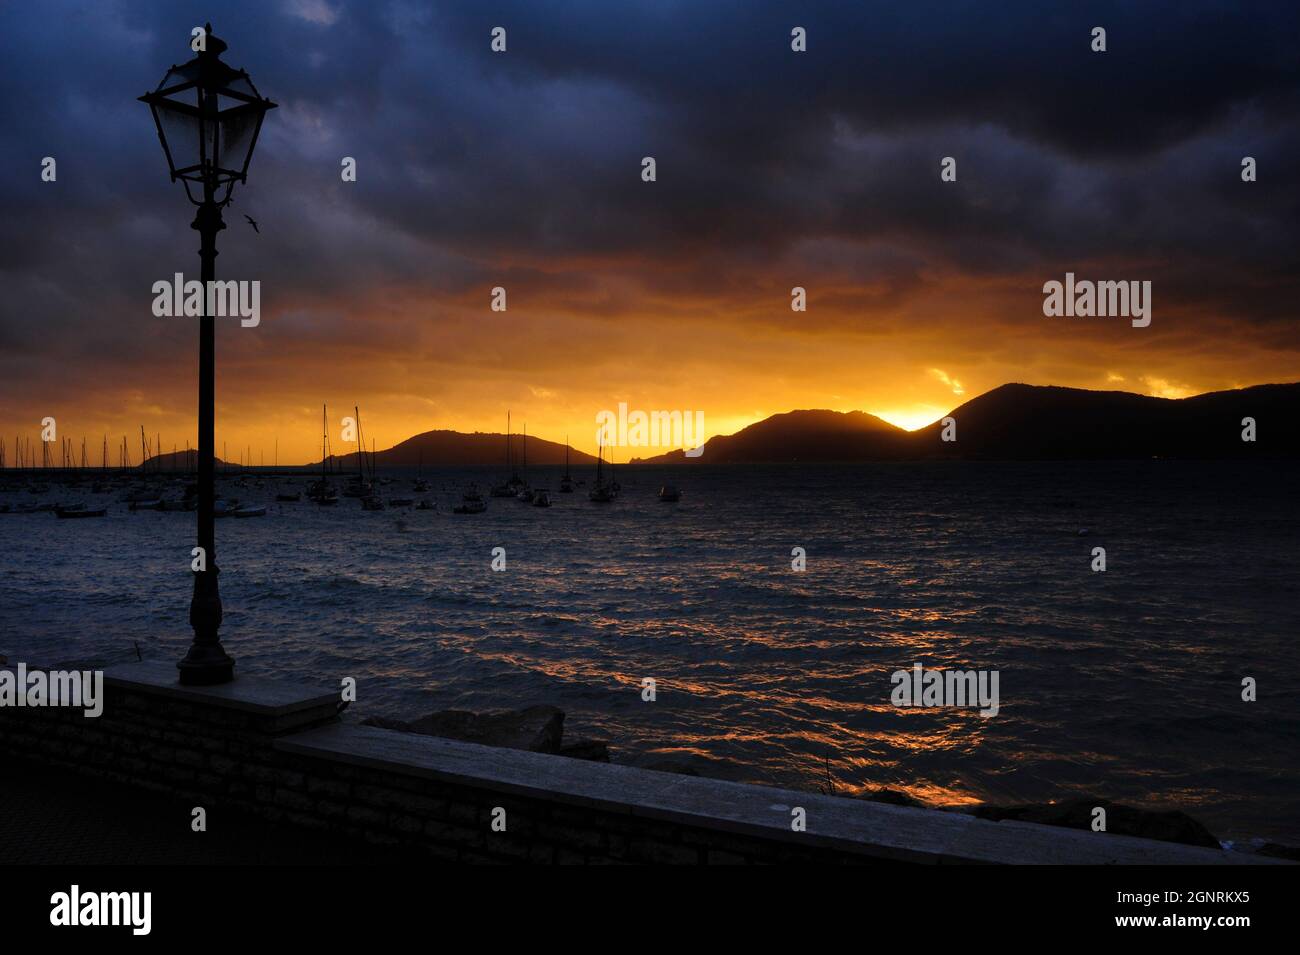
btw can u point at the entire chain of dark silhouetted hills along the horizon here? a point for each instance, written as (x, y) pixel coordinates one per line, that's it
(1013, 422)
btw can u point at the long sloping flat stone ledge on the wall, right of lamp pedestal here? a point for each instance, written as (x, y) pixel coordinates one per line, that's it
(847, 826)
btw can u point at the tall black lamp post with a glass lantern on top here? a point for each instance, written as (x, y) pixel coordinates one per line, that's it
(209, 116)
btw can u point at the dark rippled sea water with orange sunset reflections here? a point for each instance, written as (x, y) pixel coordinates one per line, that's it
(1123, 685)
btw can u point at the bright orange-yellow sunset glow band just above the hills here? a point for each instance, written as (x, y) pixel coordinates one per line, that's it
(556, 367)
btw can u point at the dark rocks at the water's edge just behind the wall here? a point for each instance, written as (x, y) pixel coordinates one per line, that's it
(541, 730)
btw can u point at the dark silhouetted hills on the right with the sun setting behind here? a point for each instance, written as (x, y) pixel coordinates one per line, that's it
(1028, 423)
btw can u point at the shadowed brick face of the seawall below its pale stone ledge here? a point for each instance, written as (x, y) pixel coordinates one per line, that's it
(218, 757)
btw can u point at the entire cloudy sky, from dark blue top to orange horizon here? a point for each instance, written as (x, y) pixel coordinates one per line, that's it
(523, 171)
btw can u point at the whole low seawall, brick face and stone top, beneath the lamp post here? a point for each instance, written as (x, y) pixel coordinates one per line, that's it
(281, 753)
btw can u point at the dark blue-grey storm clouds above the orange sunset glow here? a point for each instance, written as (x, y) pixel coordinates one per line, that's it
(476, 166)
